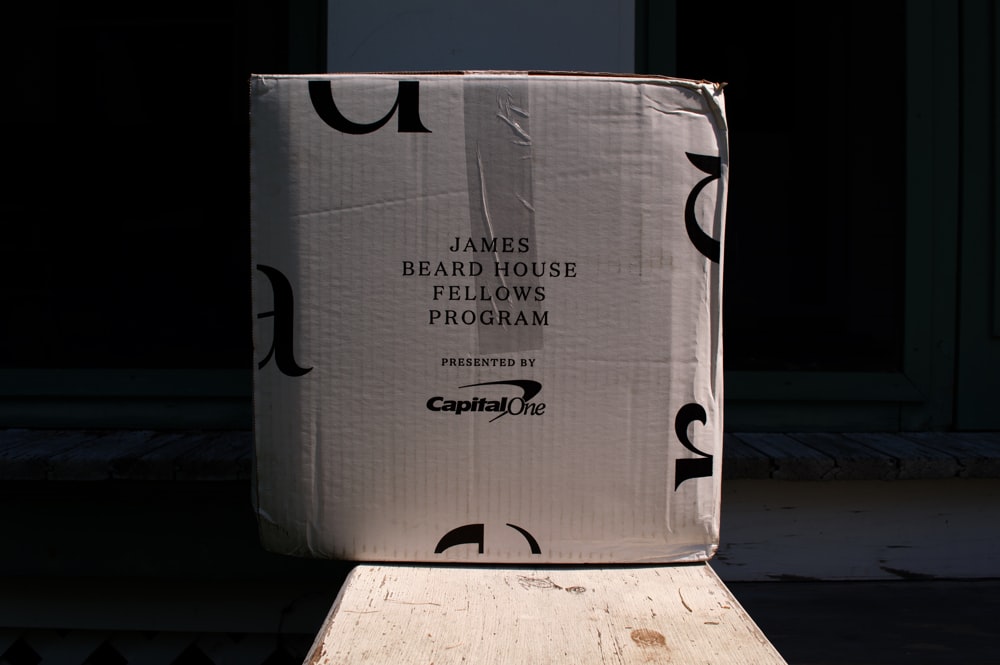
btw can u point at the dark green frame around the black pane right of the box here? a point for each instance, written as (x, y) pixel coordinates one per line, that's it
(921, 395)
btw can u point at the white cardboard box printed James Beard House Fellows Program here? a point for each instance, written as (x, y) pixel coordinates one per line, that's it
(488, 316)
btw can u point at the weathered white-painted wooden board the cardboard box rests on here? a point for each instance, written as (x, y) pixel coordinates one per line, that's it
(438, 614)
